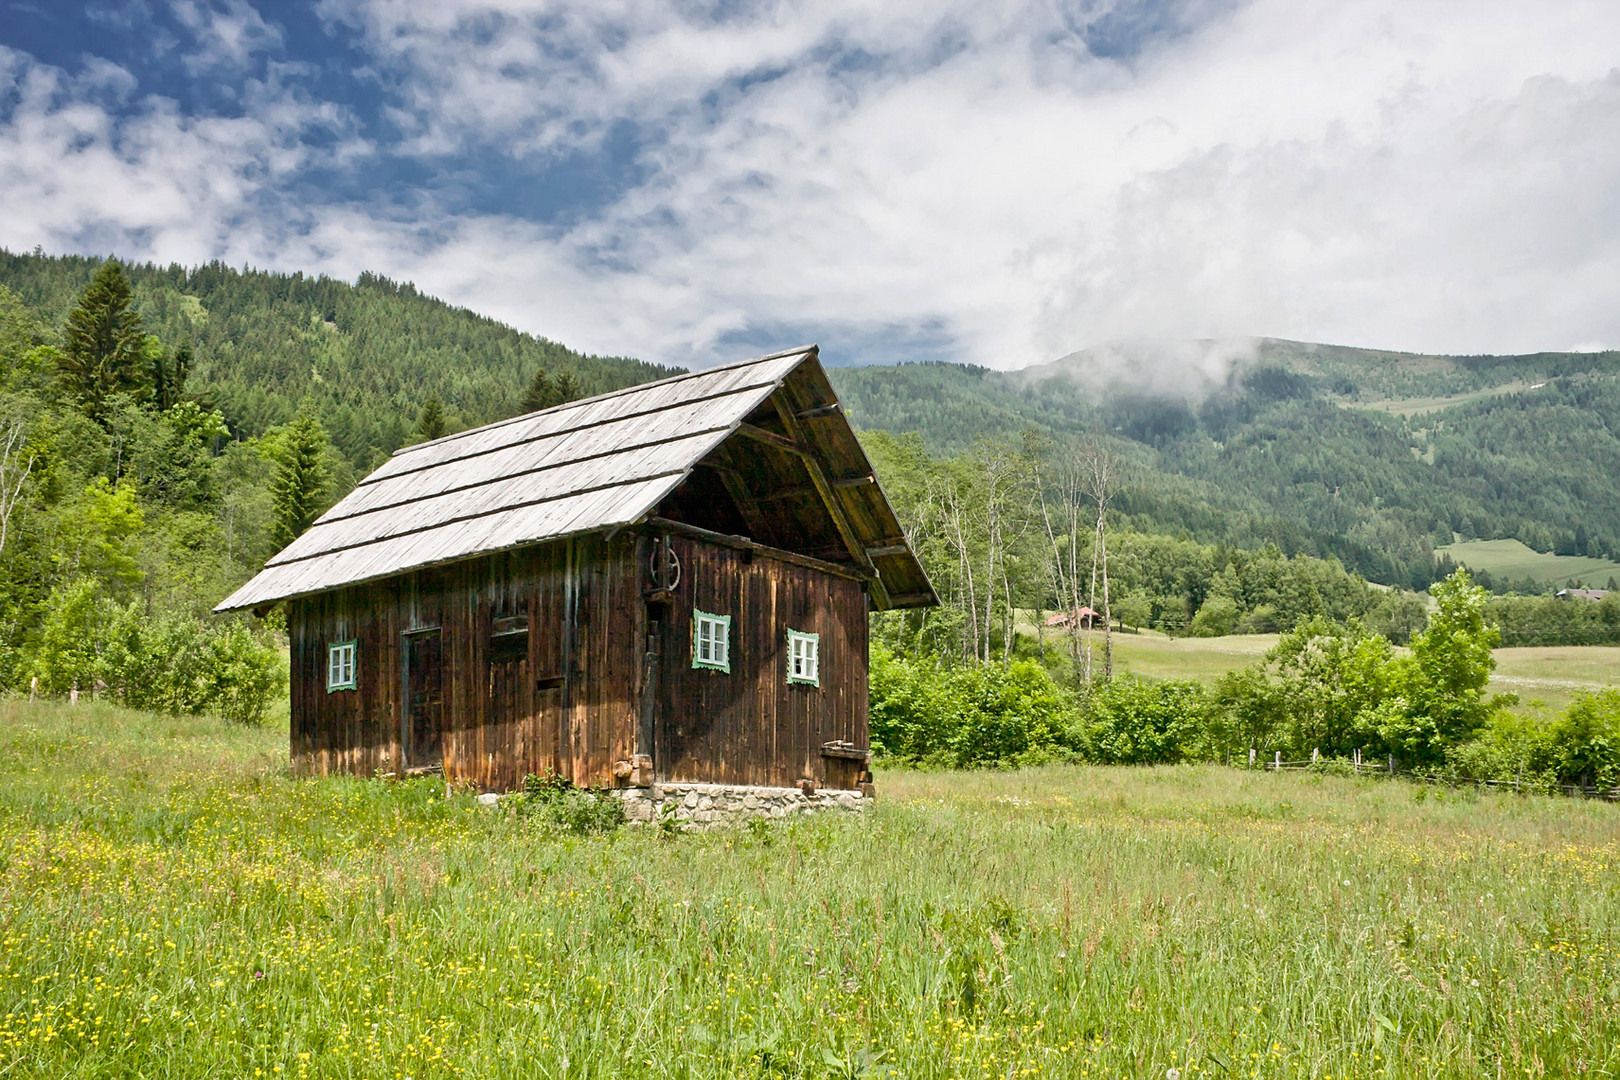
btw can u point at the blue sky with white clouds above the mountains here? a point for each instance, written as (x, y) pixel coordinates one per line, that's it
(986, 182)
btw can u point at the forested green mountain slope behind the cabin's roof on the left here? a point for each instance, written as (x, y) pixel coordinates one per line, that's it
(365, 357)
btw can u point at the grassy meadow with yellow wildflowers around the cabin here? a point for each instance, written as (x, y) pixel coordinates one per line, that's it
(174, 906)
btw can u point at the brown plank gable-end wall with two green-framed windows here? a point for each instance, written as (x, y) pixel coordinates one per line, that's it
(751, 726)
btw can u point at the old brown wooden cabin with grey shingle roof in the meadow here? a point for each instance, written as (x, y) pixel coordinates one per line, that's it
(667, 584)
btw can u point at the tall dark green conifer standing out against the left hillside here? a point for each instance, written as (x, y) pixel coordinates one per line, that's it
(104, 346)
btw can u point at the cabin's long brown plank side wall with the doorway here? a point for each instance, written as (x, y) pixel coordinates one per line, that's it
(582, 600)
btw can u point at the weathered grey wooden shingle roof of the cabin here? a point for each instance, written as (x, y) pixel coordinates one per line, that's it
(589, 466)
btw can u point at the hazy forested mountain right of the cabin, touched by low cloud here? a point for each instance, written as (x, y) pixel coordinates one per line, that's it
(1375, 457)
